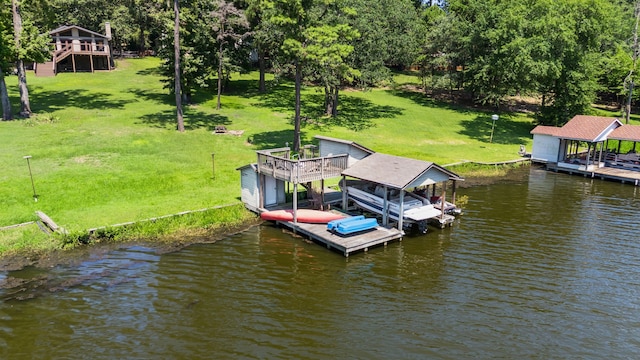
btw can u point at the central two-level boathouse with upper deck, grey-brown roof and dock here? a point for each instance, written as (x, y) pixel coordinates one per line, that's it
(271, 186)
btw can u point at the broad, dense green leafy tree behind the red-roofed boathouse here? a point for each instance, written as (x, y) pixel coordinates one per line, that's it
(552, 48)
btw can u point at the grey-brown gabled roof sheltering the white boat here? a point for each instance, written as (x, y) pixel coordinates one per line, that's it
(395, 171)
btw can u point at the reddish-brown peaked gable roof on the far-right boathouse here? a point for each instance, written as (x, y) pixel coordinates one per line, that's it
(588, 128)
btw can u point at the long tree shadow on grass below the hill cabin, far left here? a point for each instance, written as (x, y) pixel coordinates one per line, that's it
(48, 101)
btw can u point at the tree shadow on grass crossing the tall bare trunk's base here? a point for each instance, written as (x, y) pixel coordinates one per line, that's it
(193, 119)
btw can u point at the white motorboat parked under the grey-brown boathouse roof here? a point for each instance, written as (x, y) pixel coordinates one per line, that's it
(416, 209)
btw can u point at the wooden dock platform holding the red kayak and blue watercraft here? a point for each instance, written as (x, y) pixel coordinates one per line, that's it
(344, 244)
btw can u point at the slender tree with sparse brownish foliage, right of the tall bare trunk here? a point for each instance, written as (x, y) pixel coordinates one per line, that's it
(230, 24)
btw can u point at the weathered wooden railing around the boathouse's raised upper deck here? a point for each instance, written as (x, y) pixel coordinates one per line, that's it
(278, 164)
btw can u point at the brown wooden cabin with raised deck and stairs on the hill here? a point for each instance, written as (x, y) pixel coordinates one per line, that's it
(76, 49)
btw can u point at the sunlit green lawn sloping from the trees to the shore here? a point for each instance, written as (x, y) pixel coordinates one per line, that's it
(112, 154)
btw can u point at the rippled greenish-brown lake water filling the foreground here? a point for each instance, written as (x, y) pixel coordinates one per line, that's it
(547, 267)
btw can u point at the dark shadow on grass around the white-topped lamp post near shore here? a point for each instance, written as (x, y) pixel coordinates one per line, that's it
(506, 131)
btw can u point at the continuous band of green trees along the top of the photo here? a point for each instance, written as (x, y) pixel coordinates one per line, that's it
(565, 53)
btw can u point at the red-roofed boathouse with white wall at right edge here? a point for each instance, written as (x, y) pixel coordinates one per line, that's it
(590, 145)
